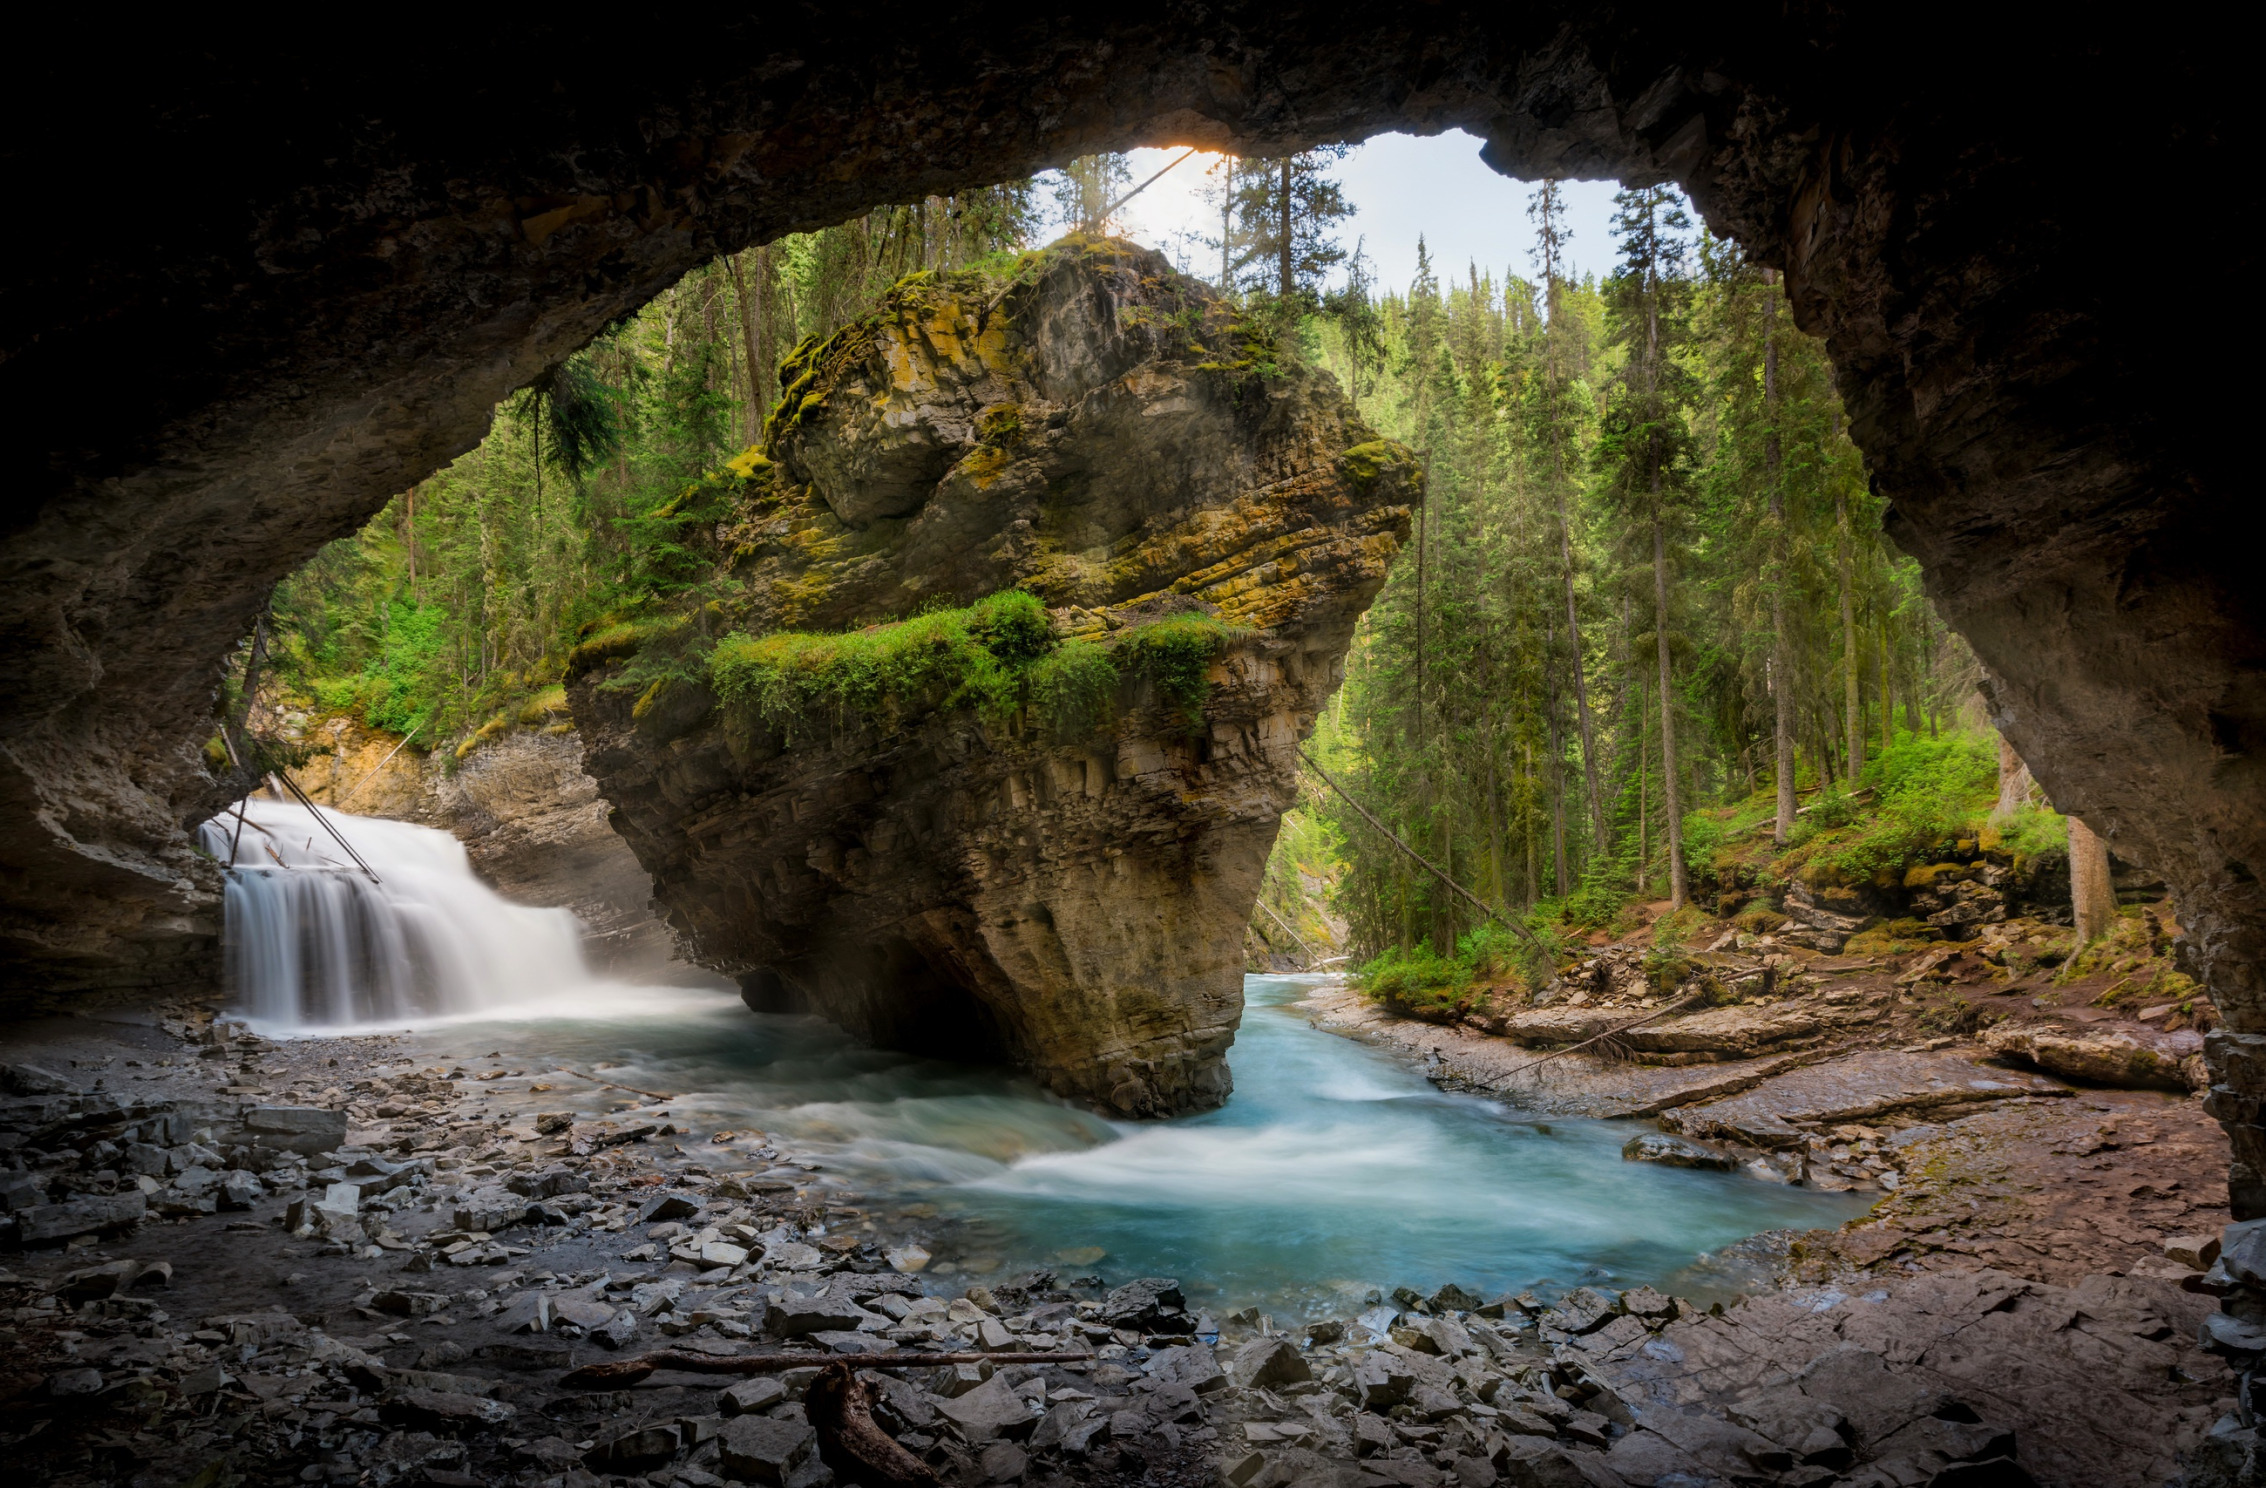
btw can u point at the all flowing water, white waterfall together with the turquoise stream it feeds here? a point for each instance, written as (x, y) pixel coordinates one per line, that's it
(1331, 1174)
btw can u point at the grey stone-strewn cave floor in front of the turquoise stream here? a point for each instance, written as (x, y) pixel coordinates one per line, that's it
(248, 1263)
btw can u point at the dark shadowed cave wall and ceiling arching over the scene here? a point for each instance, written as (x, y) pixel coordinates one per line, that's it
(264, 289)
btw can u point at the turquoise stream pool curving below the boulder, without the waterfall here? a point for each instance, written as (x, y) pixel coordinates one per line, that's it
(1334, 1172)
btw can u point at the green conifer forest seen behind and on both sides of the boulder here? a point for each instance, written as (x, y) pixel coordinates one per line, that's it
(1646, 604)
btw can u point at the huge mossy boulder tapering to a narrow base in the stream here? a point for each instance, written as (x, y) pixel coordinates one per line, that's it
(1007, 830)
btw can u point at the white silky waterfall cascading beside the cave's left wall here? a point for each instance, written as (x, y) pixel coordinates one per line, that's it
(314, 941)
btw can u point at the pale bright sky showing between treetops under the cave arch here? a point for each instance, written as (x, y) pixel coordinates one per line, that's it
(1402, 187)
